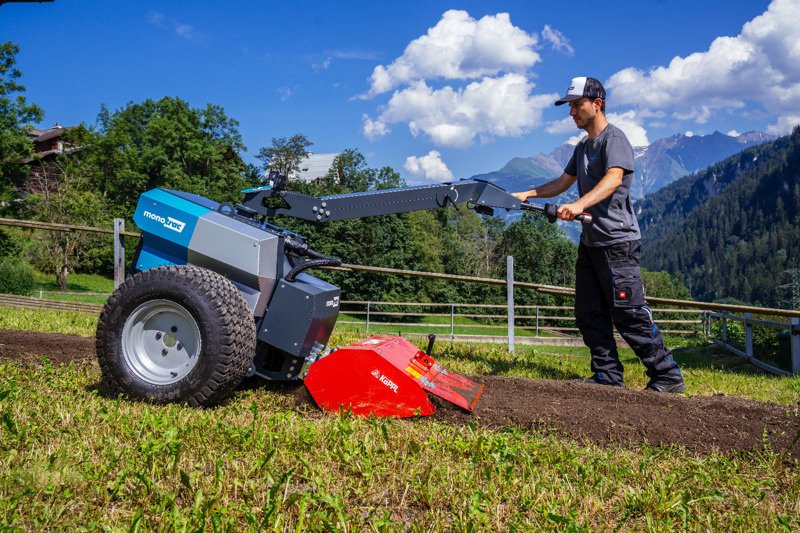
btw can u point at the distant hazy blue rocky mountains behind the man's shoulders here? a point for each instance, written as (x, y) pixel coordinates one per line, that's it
(656, 165)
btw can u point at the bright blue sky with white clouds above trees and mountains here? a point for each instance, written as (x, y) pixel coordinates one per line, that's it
(433, 89)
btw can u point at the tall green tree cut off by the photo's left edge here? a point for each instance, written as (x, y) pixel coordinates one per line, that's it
(15, 114)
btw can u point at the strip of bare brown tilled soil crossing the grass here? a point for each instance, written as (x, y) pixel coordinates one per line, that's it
(590, 412)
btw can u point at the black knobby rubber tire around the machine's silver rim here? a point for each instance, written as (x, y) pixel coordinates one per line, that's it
(226, 326)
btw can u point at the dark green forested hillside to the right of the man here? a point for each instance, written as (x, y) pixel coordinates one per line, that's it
(733, 230)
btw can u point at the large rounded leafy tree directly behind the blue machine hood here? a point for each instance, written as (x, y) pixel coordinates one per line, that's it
(164, 143)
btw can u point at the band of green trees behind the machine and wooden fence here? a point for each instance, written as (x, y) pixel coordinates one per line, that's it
(168, 143)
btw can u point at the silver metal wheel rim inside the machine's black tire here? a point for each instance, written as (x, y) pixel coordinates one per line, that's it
(161, 342)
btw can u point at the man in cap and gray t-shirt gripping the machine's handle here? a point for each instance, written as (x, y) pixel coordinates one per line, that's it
(608, 283)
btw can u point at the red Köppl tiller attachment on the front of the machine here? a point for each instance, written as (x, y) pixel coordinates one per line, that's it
(386, 376)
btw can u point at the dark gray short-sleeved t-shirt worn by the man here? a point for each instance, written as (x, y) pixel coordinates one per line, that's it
(614, 220)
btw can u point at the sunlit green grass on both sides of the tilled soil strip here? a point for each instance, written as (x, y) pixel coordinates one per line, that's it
(74, 457)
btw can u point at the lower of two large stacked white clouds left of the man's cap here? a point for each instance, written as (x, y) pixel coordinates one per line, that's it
(491, 107)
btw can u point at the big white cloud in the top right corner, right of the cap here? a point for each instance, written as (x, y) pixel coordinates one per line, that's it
(761, 64)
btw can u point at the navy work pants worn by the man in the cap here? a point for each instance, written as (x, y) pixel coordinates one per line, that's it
(609, 291)
